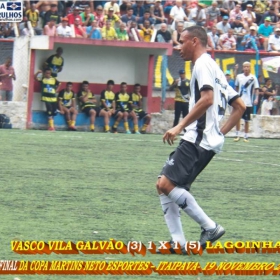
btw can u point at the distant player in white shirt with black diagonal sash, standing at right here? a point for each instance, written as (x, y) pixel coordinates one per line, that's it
(247, 86)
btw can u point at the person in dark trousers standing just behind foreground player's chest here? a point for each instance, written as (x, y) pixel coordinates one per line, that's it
(182, 96)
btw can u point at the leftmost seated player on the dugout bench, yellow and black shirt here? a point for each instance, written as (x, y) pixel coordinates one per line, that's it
(67, 105)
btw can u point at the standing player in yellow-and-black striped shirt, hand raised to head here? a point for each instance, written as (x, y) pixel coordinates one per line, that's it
(49, 87)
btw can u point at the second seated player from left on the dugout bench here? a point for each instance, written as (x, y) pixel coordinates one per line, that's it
(89, 107)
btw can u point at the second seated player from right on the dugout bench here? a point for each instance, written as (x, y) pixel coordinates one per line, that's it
(123, 104)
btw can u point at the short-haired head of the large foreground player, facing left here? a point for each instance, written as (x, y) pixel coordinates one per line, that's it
(193, 40)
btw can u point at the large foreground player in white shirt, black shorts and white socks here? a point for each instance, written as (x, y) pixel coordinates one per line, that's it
(202, 140)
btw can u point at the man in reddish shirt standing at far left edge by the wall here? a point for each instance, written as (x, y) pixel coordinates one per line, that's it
(7, 74)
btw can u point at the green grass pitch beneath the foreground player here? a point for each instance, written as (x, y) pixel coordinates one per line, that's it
(94, 186)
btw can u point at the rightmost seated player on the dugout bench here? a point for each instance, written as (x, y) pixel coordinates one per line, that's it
(136, 101)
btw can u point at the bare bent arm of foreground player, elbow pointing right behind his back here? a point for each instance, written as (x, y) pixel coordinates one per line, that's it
(238, 108)
